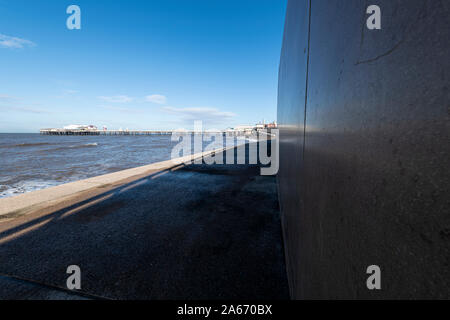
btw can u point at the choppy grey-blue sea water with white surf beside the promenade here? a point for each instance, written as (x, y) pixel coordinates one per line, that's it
(31, 161)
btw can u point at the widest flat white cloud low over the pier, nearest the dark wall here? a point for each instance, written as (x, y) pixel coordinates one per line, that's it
(211, 115)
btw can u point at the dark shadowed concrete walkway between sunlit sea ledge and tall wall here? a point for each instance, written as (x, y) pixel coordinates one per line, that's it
(193, 232)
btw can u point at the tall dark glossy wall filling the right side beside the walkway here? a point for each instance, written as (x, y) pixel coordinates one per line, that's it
(364, 148)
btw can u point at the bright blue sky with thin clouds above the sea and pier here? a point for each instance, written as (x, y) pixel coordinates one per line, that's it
(141, 65)
